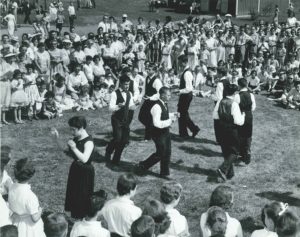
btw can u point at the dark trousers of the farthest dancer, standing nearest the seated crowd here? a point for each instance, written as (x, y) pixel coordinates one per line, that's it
(184, 121)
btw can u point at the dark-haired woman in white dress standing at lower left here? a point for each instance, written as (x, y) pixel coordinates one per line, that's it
(23, 203)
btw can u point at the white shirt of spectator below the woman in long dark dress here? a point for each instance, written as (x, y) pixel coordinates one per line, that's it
(89, 229)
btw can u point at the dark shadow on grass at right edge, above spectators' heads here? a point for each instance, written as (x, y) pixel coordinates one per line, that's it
(280, 197)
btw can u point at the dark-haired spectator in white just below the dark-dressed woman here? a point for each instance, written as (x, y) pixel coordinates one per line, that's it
(90, 226)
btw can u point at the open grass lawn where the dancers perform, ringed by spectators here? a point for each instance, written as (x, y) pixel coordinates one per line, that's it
(272, 175)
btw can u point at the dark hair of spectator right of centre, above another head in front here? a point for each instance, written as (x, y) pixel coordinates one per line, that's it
(222, 197)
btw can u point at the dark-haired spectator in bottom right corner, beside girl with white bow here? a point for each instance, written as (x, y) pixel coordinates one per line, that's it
(288, 224)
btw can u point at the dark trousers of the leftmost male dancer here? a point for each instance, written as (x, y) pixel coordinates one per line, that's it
(119, 141)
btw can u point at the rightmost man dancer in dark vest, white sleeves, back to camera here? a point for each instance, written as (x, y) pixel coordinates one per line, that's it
(247, 104)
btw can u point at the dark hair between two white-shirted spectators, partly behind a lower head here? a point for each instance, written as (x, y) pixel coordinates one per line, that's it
(156, 210)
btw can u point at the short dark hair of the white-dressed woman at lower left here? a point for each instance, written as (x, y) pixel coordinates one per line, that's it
(23, 170)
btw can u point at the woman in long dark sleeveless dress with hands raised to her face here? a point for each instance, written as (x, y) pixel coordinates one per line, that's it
(80, 185)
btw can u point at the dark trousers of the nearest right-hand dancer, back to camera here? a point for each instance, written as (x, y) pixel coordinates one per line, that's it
(229, 141)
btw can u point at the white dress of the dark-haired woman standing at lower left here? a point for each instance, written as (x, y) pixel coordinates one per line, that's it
(25, 203)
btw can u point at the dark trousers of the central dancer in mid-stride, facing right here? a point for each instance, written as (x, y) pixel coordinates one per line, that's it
(162, 154)
